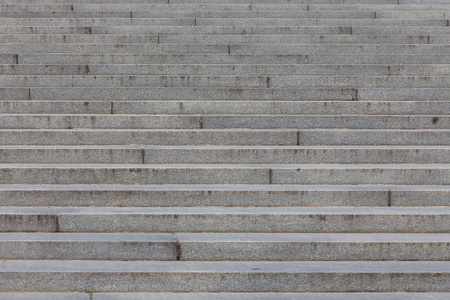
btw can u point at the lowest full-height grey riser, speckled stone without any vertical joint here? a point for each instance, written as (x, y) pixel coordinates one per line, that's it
(210, 281)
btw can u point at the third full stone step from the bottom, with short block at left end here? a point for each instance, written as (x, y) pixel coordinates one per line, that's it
(227, 219)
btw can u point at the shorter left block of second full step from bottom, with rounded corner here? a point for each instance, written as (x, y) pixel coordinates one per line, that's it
(74, 246)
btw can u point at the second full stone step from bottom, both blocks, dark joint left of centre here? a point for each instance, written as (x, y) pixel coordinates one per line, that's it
(225, 246)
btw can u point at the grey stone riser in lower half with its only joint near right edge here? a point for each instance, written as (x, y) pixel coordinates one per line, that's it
(225, 196)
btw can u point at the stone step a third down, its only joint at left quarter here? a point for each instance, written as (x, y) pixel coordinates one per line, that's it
(225, 107)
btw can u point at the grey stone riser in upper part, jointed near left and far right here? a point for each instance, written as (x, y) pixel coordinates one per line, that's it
(329, 71)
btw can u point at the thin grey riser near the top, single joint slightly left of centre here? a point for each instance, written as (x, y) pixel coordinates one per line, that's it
(280, 22)
